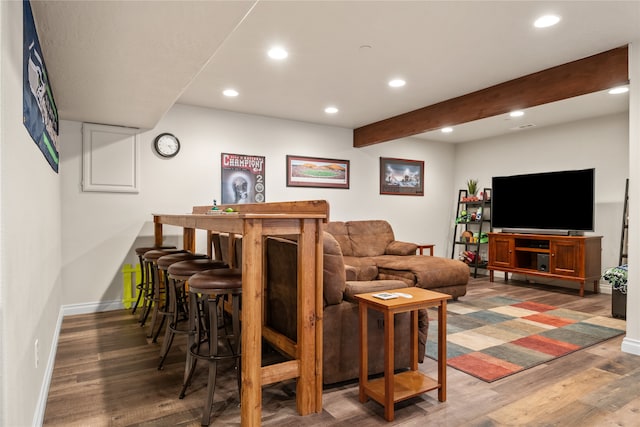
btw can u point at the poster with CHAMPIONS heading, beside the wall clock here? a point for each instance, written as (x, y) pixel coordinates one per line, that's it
(243, 179)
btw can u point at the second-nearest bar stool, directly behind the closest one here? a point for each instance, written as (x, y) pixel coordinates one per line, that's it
(178, 273)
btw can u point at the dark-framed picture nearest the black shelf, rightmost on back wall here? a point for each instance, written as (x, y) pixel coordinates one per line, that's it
(402, 177)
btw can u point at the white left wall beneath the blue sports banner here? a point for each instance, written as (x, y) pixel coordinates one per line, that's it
(30, 244)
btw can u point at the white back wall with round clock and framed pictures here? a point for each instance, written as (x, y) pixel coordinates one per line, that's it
(100, 230)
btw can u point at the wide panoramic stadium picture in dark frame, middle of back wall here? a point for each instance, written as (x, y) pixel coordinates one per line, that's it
(317, 172)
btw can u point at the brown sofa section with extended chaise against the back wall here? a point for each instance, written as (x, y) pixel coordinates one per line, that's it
(369, 246)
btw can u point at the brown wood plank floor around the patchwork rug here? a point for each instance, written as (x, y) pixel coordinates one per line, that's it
(105, 375)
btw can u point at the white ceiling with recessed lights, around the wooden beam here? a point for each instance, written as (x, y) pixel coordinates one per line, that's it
(127, 62)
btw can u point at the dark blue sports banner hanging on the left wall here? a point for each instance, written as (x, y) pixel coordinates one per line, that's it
(39, 113)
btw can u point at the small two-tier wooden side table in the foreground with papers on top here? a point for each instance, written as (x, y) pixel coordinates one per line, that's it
(397, 387)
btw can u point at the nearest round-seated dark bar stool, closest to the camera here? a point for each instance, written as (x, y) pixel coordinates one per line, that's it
(208, 289)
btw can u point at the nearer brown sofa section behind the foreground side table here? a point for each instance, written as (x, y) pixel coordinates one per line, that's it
(341, 346)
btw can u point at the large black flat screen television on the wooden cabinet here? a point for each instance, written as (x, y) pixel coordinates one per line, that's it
(554, 202)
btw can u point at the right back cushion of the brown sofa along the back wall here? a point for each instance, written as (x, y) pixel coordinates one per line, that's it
(369, 238)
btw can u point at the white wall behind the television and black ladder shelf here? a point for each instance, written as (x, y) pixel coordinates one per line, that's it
(601, 143)
